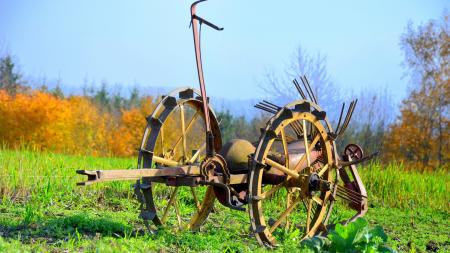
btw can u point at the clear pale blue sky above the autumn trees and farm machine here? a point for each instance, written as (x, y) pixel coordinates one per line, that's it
(149, 42)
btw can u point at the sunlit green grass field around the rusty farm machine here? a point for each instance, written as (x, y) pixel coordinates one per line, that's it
(41, 209)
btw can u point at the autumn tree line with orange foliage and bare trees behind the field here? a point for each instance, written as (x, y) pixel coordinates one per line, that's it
(101, 123)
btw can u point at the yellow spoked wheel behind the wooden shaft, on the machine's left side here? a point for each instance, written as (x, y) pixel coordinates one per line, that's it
(175, 136)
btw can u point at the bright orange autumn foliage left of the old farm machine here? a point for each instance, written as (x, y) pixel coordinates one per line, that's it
(74, 125)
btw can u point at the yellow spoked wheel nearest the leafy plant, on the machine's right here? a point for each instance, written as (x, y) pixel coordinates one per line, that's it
(301, 198)
